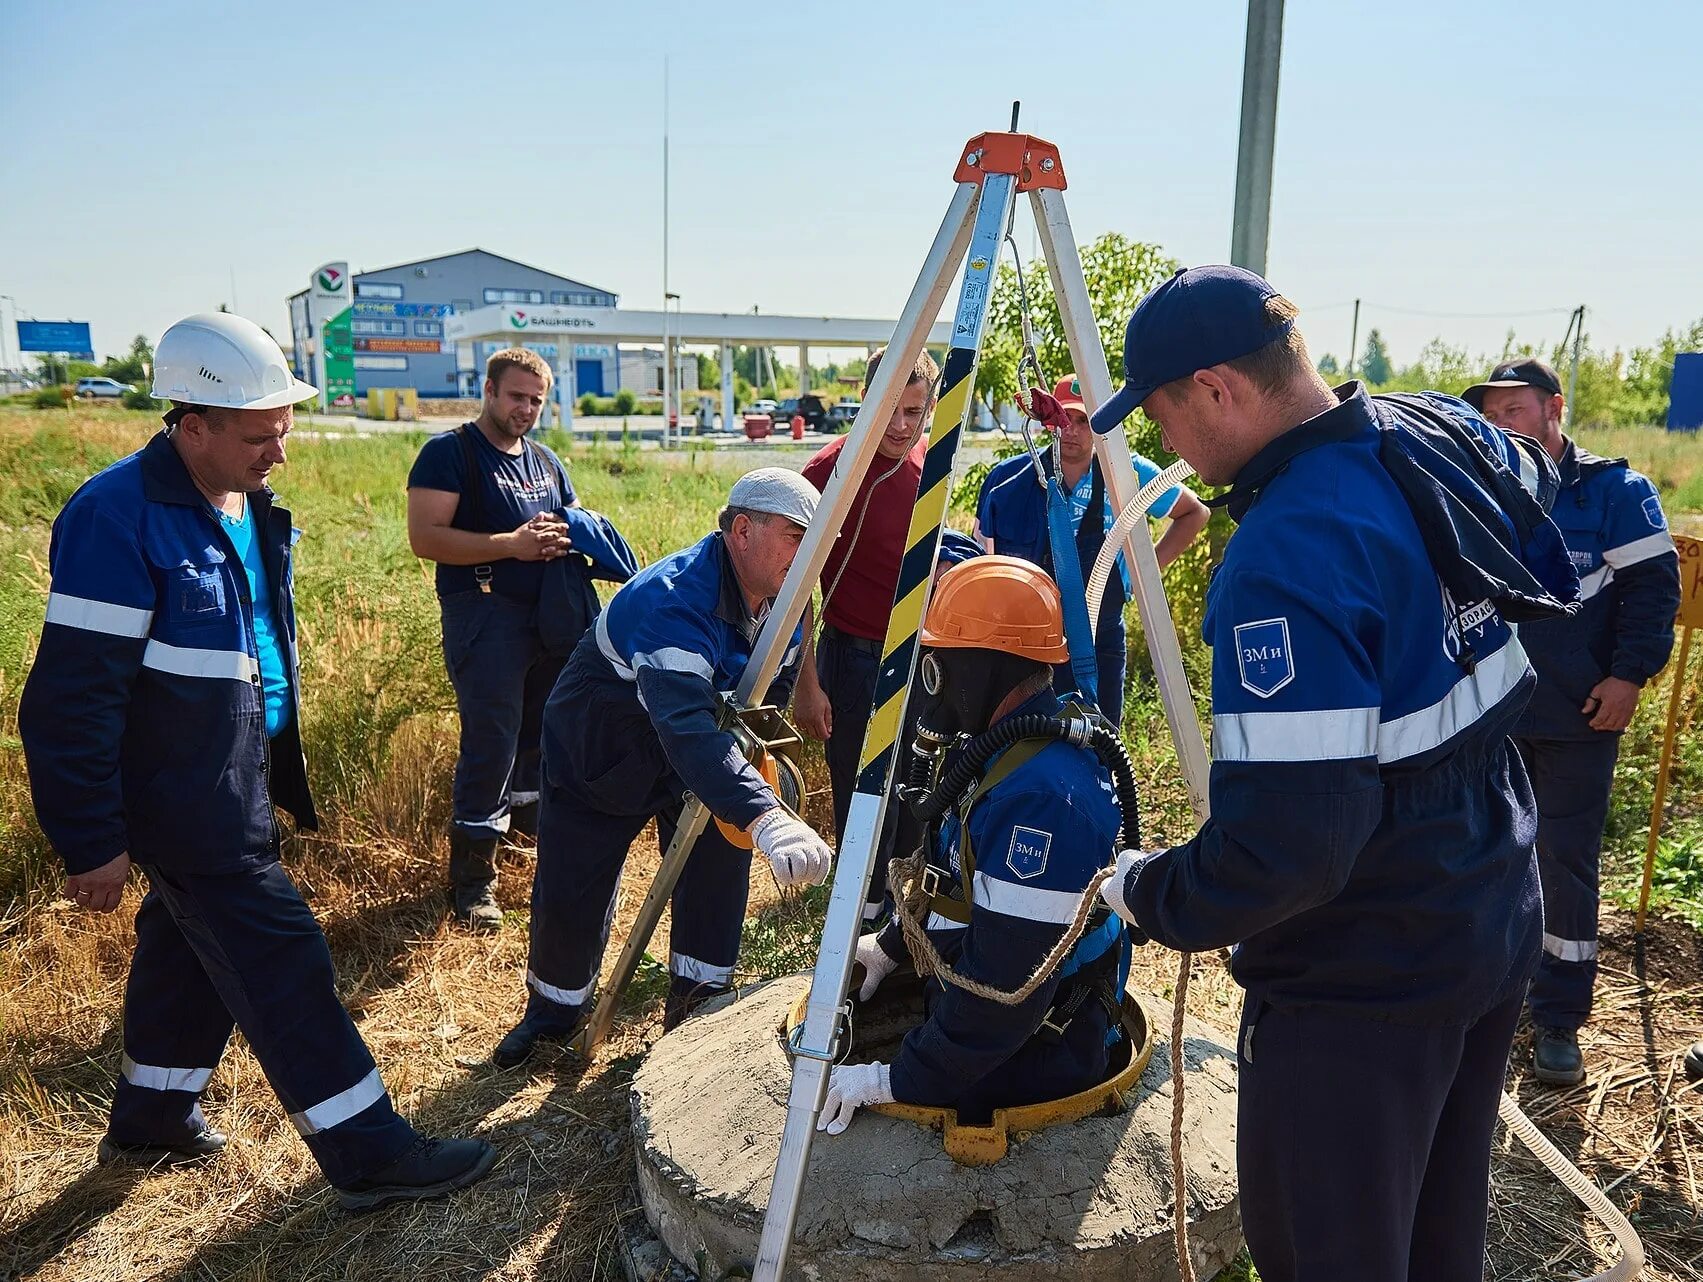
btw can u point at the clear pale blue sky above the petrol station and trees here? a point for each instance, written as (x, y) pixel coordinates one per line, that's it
(1486, 159)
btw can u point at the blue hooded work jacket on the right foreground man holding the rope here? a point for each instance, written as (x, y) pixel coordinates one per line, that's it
(1372, 842)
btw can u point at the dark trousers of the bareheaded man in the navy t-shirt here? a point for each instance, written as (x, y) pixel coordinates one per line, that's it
(502, 677)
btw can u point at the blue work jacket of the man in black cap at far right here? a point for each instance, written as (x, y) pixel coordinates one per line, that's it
(1629, 578)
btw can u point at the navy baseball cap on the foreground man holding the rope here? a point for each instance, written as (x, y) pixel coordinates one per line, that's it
(1198, 319)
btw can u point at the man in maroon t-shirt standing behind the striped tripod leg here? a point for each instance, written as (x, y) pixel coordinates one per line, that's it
(837, 680)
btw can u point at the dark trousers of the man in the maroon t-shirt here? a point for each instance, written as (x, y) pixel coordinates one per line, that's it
(847, 667)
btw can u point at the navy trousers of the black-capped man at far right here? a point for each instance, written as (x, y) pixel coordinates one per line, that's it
(1571, 781)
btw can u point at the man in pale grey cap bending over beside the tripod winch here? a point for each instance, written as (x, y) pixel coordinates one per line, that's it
(631, 726)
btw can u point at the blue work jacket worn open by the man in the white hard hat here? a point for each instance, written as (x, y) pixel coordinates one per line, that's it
(144, 719)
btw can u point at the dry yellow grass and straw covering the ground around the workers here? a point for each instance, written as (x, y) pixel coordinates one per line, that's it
(432, 1002)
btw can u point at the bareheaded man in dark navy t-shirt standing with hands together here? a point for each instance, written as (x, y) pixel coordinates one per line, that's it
(486, 503)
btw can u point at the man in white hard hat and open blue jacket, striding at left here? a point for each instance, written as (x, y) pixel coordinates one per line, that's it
(161, 724)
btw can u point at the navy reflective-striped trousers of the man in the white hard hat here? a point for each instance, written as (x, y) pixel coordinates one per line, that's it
(244, 949)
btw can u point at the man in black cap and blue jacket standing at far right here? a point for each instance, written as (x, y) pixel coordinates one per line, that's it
(1591, 668)
